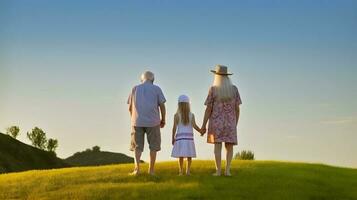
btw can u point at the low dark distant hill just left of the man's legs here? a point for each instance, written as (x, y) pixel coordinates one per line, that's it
(95, 158)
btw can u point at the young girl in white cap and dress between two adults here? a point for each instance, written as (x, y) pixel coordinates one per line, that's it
(182, 134)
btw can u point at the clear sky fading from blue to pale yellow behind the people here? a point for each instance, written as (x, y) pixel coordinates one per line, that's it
(68, 66)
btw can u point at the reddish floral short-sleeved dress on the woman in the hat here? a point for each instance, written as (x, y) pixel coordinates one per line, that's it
(222, 122)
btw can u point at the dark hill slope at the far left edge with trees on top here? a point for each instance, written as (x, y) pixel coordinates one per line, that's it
(17, 156)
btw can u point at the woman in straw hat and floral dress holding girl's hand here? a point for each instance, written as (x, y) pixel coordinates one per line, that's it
(222, 112)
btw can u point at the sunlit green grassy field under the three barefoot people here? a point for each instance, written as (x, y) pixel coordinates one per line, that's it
(251, 180)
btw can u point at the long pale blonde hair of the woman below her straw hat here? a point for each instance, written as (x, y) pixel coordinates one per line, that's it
(224, 87)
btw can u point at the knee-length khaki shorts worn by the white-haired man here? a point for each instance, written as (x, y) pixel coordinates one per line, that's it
(153, 137)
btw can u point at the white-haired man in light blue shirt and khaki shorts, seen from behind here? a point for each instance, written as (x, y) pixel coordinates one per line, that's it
(144, 103)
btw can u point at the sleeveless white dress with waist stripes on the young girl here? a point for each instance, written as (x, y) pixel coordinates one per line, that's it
(184, 145)
